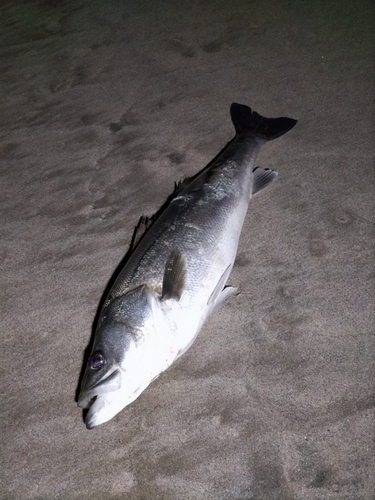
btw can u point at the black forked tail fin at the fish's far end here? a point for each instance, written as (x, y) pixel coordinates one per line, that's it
(248, 122)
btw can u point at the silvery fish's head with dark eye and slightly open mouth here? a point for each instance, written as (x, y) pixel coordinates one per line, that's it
(124, 359)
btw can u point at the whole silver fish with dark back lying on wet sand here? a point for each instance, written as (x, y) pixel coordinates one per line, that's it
(176, 276)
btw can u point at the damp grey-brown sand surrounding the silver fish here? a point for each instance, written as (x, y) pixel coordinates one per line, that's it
(103, 106)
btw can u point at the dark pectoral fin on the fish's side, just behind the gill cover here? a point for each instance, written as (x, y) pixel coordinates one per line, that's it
(174, 276)
